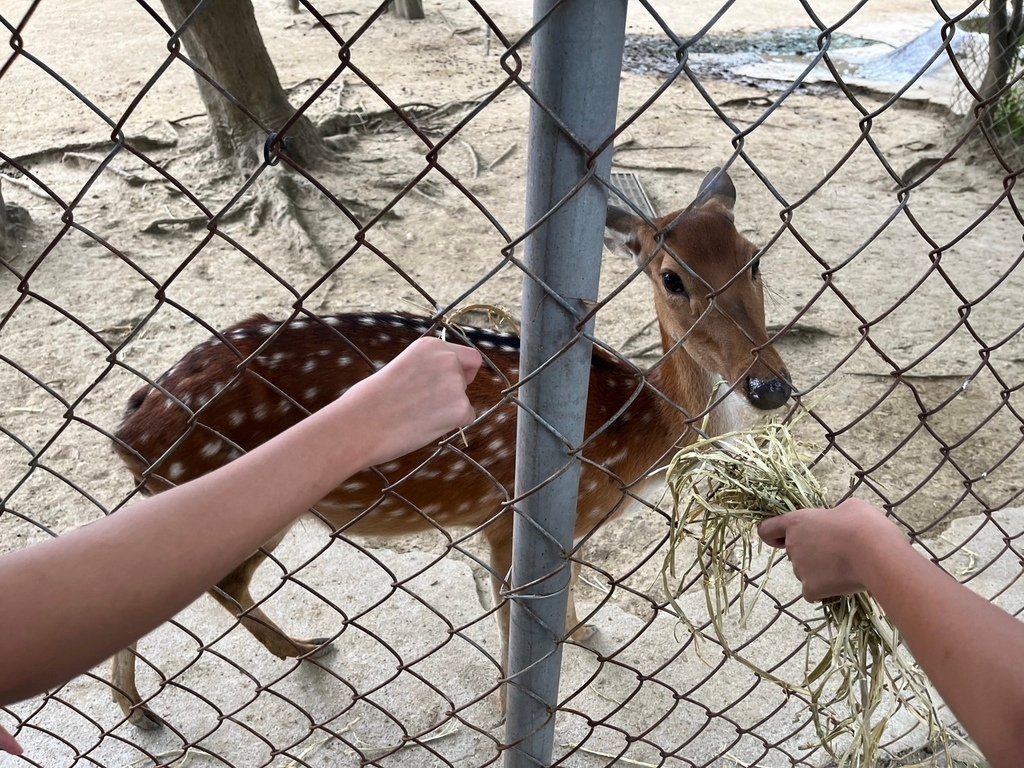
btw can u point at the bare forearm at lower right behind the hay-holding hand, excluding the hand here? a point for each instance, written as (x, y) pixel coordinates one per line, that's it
(970, 650)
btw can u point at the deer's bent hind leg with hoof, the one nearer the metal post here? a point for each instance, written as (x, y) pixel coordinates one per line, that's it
(233, 592)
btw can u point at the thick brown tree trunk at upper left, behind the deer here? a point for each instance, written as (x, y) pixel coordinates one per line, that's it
(225, 42)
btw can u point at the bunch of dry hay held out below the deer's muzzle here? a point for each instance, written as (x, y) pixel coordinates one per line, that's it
(724, 487)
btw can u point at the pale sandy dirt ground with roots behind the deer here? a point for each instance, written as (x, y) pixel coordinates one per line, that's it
(864, 286)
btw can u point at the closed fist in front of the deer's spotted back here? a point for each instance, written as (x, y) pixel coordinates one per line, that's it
(418, 397)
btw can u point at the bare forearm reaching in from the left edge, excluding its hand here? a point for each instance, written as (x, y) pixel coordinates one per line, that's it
(111, 582)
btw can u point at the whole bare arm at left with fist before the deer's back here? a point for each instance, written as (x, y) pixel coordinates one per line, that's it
(100, 585)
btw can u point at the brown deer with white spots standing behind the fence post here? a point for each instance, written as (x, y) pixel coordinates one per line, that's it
(260, 377)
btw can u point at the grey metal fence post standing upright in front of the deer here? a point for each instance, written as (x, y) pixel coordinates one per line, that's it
(578, 54)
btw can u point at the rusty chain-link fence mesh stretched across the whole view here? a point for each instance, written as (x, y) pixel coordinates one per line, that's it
(342, 160)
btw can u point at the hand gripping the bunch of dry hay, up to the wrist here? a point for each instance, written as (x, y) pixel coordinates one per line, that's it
(832, 550)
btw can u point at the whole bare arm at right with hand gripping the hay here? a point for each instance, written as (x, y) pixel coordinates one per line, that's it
(970, 650)
